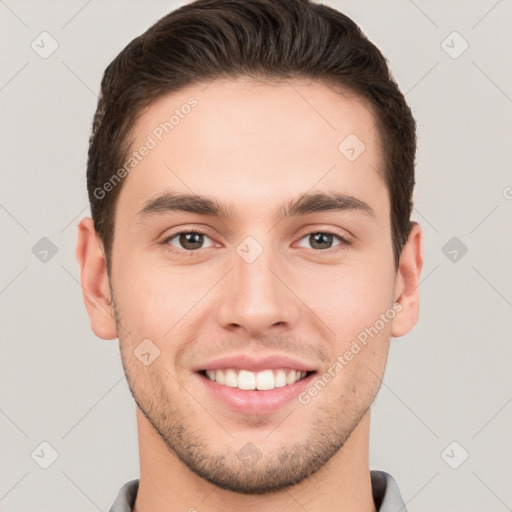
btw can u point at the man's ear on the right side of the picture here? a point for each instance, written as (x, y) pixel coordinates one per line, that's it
(407, 283)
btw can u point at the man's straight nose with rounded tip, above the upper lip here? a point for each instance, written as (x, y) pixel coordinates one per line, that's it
(258, 296)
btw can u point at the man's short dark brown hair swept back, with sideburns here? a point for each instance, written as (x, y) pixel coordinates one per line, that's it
(266, 39)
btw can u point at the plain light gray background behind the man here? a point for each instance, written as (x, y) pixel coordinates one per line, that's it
(449, 380)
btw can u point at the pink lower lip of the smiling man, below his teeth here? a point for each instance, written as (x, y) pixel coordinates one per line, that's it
(255, 401)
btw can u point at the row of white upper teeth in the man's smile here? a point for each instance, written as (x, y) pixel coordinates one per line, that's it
(245, 379)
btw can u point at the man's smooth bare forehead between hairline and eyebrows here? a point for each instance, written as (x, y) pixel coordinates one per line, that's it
(255, 142)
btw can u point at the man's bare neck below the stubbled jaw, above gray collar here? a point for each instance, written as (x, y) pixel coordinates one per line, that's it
(166, 484)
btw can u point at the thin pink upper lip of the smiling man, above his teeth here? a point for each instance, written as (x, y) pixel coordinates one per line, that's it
(256, 363)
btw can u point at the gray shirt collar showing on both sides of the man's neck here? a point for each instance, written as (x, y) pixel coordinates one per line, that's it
(386, 494)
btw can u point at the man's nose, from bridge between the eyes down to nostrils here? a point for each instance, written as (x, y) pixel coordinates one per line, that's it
(253, 296)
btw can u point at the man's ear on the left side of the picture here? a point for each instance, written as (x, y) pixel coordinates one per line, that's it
(94, 280)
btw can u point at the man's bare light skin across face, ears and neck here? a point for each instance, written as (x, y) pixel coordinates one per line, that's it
(255, 145)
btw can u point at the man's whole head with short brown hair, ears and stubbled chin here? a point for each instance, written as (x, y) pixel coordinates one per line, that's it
(282, 131)
